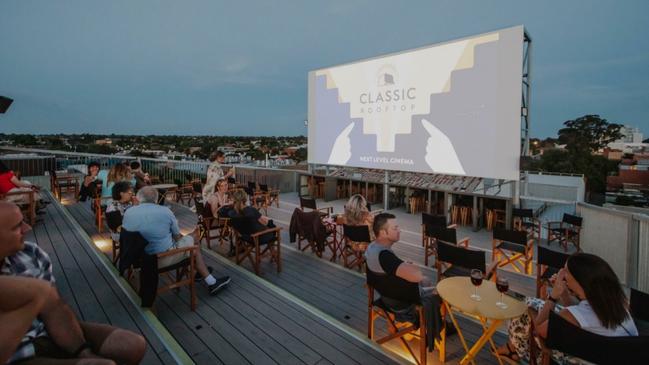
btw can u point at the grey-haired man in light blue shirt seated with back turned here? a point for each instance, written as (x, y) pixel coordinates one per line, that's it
(158, 225)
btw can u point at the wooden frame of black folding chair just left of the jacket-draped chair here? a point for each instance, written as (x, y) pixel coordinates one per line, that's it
(253, 252)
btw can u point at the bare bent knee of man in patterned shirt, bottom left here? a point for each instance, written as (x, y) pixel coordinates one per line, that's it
(120, 345)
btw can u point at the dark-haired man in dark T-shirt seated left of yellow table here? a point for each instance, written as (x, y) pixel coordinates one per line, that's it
(400, 284)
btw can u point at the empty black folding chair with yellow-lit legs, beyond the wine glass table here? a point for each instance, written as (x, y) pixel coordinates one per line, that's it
(514, 247)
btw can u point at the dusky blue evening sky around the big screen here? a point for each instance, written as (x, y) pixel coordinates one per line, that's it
(240, 67)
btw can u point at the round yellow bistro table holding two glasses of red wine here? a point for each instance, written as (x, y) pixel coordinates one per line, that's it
(456, 295)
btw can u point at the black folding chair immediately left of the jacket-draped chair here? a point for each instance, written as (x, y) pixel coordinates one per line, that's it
(248, 244)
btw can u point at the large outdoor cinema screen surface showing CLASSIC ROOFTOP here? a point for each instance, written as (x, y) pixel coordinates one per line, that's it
(452, 108)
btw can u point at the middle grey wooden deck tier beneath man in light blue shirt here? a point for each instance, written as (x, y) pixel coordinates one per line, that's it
(252, 321)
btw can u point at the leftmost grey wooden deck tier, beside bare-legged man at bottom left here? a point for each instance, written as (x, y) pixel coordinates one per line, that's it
(87, 286)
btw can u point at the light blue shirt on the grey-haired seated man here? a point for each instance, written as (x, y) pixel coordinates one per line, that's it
(156, 223)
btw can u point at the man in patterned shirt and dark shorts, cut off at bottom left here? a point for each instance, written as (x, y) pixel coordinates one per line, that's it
(56, 336)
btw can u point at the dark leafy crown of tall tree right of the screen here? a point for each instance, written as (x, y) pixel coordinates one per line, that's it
(588, 134)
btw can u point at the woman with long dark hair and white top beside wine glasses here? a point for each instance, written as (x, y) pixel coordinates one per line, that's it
(588, 294)
